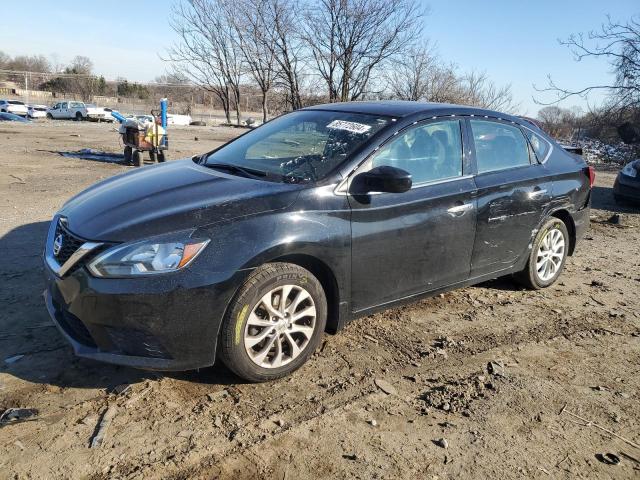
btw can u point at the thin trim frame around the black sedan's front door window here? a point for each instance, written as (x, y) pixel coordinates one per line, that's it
(343, 187)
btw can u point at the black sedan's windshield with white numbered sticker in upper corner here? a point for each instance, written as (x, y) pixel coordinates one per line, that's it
(300, 147)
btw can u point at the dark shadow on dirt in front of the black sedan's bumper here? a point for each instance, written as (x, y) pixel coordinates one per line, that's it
(26, 329)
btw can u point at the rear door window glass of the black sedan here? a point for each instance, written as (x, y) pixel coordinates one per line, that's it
(498, 146)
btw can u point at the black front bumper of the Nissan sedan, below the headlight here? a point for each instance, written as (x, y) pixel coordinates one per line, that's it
(169, 323)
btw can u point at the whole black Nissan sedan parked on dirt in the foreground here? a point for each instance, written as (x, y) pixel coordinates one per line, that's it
(250, 252)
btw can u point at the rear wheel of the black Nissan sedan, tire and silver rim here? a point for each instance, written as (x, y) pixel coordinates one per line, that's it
(539, 273)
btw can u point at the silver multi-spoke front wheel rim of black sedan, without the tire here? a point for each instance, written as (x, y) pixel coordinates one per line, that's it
(280, 326)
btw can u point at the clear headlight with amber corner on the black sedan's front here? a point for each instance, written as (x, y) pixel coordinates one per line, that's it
(147, 257)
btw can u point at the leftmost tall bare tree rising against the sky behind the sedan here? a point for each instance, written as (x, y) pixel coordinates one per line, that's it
(207, 51)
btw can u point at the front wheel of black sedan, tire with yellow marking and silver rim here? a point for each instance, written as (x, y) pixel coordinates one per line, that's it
(247, 321)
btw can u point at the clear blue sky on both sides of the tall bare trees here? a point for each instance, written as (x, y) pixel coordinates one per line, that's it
(513, 41)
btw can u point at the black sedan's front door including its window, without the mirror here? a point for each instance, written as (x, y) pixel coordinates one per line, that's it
(408, 243)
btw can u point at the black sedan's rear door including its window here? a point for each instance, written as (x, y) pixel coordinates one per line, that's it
(513, 192)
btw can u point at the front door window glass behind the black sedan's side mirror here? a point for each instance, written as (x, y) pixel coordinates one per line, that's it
(429, 152)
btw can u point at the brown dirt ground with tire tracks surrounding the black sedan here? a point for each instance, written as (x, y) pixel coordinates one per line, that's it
(374, 402)
